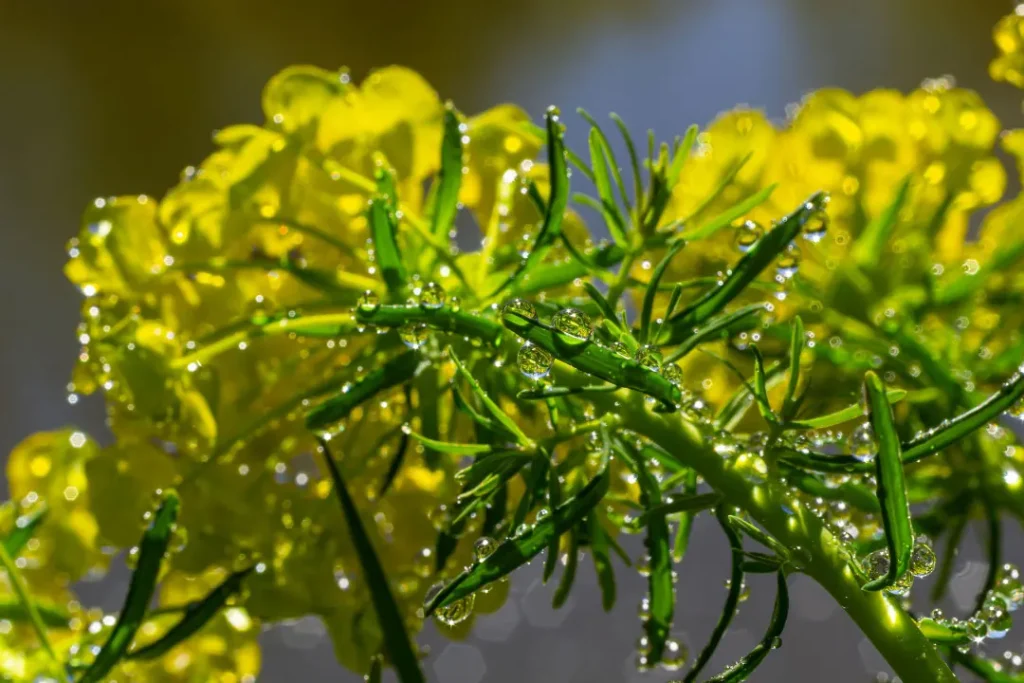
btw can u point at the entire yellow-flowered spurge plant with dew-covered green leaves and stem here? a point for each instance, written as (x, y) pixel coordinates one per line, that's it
(350, 417)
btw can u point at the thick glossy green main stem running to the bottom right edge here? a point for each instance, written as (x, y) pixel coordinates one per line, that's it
(817, 551)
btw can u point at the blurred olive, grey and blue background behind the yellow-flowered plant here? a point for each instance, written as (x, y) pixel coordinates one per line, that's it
(112, 98)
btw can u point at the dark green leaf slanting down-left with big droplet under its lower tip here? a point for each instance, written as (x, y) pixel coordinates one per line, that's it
(519, 550)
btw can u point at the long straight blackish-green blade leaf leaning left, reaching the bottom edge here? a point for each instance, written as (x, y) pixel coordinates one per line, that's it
(397, 643)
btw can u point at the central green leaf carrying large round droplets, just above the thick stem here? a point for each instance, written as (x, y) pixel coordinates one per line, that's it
(596, 361)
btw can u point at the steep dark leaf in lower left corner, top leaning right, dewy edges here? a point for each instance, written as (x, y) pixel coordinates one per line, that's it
(144, 582)
